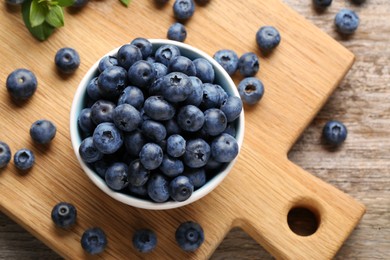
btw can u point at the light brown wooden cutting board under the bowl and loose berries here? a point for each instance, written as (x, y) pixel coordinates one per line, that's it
(263, 186)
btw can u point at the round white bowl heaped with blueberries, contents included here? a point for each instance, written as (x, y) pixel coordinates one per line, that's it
(157, 124)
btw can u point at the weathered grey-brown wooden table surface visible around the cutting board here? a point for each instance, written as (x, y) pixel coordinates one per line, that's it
(361, 167)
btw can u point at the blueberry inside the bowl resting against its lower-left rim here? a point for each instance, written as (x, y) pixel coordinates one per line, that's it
(117, 176)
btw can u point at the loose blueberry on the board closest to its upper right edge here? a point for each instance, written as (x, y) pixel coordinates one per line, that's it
(267, 38)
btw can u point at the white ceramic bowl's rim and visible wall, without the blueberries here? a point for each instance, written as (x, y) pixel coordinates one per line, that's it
(221, 78)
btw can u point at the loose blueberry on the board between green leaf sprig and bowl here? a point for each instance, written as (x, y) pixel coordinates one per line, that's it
(67, 60)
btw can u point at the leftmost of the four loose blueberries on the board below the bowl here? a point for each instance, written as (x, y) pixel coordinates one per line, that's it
(64, 214)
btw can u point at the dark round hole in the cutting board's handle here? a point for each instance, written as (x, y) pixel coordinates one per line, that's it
(302, 221)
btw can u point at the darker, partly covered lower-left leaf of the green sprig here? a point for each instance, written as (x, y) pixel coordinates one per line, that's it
(40, 32)
